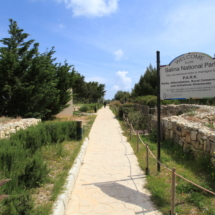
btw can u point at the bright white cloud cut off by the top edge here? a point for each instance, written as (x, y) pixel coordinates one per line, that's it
(91, 7)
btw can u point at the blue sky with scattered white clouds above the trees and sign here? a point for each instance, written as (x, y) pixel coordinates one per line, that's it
(114, 41)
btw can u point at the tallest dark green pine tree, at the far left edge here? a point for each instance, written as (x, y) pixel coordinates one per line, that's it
(15, 59)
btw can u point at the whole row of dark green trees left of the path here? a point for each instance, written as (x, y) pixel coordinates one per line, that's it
(32, 84)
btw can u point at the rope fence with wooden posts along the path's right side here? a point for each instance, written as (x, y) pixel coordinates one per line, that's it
(173, 170)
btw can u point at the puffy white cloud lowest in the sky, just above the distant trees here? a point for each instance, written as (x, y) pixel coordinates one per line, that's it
(122, 82)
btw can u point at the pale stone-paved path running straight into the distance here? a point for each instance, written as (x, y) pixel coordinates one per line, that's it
(110, 180)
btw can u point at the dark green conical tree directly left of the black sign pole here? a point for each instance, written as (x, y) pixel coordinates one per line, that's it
(147, 84)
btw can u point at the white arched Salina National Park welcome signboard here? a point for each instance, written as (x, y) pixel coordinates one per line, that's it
(189, 76)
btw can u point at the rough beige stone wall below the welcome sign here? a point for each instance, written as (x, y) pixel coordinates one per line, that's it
(192, 134)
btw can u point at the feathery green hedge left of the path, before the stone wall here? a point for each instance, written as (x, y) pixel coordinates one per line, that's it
(20, 157)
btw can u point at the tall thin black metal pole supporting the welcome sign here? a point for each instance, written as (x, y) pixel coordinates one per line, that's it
(158, 109)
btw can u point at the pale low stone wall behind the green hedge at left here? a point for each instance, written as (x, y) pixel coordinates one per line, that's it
(12, 126)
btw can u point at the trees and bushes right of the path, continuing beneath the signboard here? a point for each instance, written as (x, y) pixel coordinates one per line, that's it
(145, 92)
